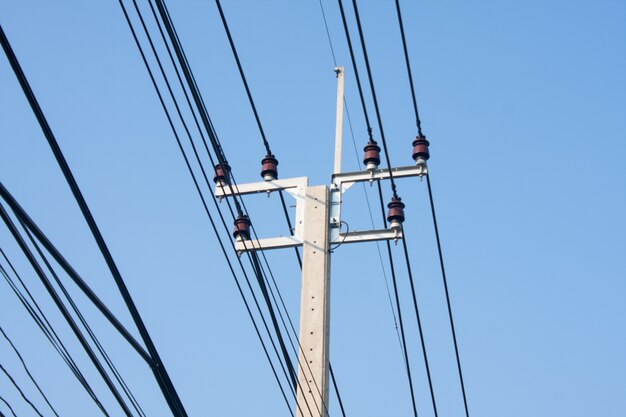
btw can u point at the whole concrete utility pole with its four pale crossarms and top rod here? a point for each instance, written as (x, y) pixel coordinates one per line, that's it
(318, 226)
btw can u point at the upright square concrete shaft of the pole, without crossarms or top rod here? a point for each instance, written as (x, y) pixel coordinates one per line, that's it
(315, 303)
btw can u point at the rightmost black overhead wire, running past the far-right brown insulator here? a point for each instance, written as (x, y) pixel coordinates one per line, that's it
(432, 207)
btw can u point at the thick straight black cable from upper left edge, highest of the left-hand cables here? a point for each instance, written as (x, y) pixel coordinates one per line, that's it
(158, 367)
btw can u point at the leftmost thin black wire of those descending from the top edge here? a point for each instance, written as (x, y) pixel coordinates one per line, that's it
(197, 186)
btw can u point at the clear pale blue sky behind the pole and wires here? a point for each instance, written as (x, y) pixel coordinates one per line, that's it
(524, 104)
